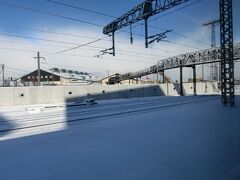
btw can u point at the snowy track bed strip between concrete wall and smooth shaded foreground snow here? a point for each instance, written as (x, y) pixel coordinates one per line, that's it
(31, 120)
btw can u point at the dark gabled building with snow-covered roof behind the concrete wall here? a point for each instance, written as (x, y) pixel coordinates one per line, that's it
(57, 76)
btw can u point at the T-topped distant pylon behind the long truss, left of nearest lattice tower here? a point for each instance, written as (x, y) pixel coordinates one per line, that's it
(213, 68)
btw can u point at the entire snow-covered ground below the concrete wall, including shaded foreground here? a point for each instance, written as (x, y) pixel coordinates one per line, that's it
(182, 138)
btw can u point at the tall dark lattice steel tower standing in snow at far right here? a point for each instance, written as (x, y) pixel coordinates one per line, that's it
(227, 55)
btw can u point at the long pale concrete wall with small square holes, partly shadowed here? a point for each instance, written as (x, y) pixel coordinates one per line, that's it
(15, 96)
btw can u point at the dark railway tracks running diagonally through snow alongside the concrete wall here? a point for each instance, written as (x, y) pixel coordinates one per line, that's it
(98, 114)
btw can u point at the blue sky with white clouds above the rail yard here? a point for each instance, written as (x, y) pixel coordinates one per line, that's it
(184, 22)
